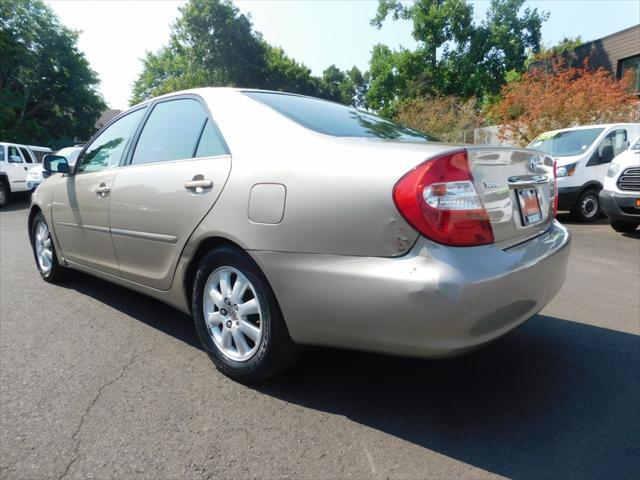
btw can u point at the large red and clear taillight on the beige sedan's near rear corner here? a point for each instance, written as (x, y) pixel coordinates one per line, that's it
(438, 198)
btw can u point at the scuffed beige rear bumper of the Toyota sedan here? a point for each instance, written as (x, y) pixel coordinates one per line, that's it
(434, 301)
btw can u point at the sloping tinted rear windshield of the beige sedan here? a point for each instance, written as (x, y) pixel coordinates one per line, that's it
(334, 119)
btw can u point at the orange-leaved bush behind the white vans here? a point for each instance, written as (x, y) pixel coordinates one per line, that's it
(558, 96)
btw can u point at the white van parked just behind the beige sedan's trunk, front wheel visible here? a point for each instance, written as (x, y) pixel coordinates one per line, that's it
(583, 155)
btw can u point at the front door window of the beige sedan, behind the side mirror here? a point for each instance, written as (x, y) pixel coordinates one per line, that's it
(106, 150)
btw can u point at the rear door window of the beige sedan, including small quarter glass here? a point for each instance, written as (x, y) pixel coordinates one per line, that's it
(173, 131)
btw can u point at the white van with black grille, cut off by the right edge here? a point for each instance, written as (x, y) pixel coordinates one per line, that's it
(620, 196)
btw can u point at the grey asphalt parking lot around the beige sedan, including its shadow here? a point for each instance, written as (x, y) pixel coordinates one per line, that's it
(100, 382)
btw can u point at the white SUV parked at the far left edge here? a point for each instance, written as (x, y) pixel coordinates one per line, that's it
(15, 162)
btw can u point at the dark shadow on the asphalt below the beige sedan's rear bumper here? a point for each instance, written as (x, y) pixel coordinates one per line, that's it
(555, 399)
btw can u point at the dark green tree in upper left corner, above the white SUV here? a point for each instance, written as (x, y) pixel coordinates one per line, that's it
(47, 89)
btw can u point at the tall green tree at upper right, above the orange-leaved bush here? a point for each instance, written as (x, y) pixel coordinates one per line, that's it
(455, 56)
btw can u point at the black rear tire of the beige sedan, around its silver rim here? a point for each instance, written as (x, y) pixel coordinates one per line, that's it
(259, 365)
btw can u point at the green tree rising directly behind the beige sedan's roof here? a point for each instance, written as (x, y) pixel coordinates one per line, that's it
(213, 44)
